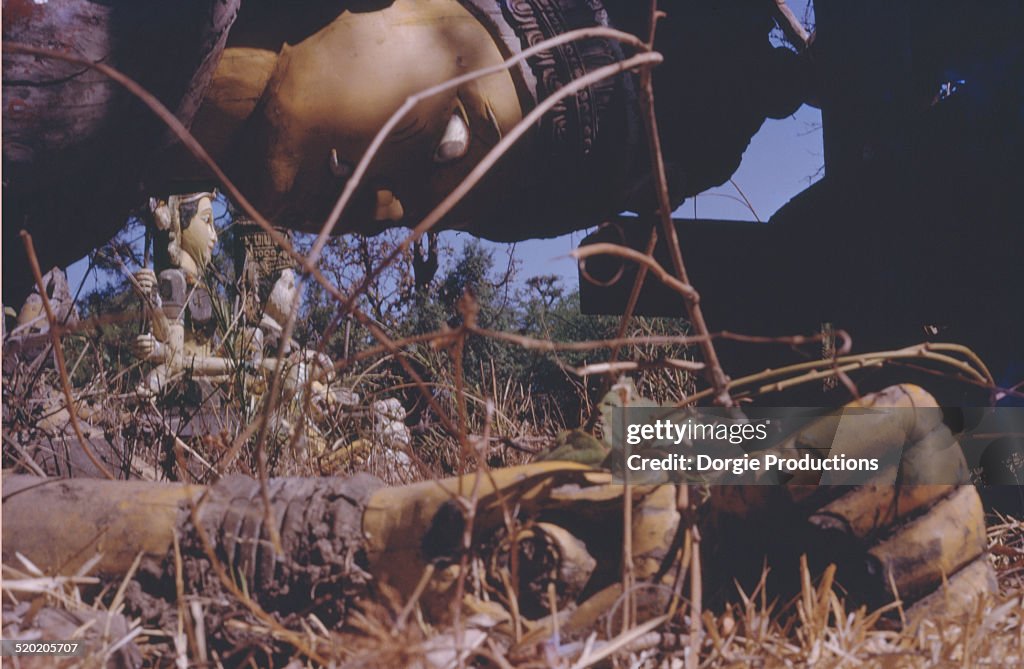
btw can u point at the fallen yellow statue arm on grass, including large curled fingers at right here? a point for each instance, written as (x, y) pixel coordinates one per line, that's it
(556, 526)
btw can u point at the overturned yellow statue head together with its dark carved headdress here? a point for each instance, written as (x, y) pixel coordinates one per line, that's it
(298, 99)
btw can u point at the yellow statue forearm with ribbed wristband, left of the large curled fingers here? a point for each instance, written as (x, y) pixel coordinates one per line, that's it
(337, 534)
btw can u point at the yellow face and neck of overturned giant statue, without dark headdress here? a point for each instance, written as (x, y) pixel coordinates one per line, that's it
(323, 98)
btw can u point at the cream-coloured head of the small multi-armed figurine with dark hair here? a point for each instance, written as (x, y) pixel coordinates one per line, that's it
(192, 235)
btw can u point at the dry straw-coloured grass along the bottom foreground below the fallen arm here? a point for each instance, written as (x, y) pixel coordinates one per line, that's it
(814, 631)
